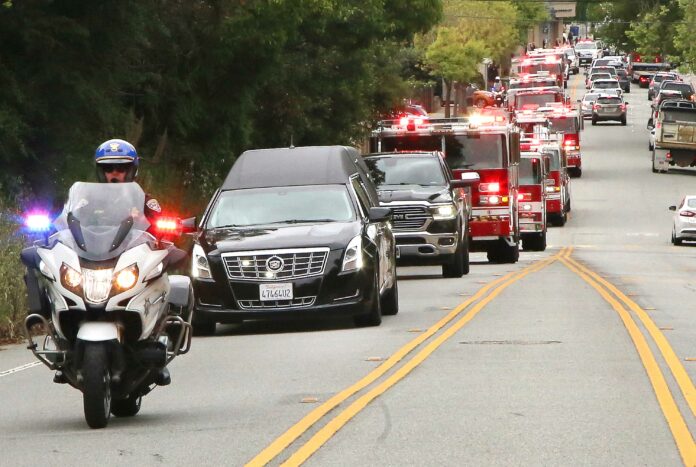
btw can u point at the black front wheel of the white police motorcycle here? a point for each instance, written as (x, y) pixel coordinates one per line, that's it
(96, 389)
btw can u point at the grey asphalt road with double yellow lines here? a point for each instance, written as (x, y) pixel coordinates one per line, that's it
(581, 355)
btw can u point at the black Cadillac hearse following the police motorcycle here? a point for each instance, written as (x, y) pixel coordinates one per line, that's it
(295, 232)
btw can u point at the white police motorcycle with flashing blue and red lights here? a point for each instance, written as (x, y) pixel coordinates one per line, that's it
(111, 316)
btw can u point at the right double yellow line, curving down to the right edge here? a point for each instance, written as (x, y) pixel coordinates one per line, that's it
(622, 304)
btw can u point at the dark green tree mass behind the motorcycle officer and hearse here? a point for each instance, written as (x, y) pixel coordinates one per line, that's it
(192, 84)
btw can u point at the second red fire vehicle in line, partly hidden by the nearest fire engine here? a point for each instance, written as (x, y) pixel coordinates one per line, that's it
(534, 168)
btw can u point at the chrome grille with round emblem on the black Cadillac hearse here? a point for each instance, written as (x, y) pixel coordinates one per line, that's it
(275, 265)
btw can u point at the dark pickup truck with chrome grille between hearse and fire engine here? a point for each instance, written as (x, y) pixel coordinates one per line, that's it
(430, 210)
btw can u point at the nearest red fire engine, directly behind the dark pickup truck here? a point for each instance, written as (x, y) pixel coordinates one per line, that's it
(486, 144)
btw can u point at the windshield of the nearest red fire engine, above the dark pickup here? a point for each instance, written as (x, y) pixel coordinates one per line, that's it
(475, 151)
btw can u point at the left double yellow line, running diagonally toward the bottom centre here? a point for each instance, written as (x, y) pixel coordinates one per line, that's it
(486, 294)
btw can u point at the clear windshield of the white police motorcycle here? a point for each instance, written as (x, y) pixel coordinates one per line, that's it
(102, 220)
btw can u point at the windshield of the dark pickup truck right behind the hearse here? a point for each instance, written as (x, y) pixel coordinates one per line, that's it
(406, 170)
